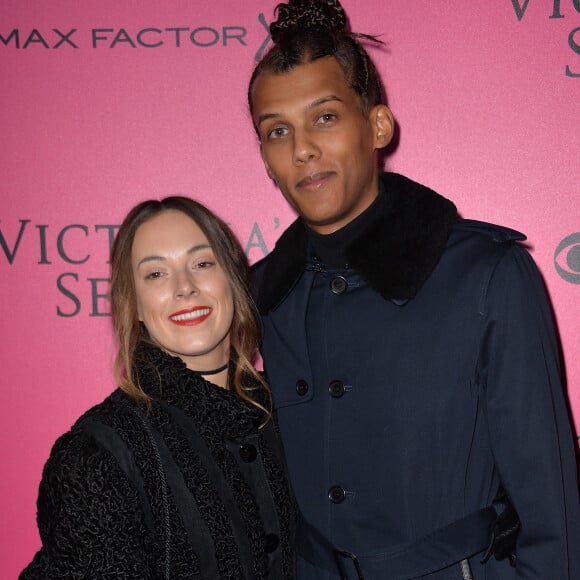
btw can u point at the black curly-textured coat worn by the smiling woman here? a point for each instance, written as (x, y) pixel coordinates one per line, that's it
(220, 507)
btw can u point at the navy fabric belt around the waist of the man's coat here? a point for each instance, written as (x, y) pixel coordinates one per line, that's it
(437, 550)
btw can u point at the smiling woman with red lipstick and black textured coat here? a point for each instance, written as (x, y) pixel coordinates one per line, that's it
(179, 473)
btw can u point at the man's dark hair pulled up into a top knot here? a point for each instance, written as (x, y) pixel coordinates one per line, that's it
(306, 30)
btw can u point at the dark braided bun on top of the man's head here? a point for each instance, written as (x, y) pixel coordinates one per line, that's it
(314, 14)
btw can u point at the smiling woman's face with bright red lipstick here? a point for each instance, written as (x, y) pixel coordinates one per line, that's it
(183, 295)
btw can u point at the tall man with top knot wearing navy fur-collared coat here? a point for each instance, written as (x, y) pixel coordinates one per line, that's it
(411, 354)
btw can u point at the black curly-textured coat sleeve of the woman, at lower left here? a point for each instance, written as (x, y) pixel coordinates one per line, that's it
(88, 516)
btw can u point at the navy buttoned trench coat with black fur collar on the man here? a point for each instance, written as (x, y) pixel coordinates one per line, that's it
(412, 384)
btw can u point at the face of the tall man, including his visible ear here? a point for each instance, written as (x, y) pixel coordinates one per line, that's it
(318, 143)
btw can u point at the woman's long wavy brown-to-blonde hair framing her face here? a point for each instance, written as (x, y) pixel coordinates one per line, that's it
(129, 332)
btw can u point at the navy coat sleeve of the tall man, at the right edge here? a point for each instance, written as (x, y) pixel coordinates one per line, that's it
(528, 420)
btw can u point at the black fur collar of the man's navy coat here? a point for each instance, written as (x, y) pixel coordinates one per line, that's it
(395, 254)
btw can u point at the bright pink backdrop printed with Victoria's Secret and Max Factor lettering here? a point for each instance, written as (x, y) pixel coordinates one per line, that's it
(106, 103)
